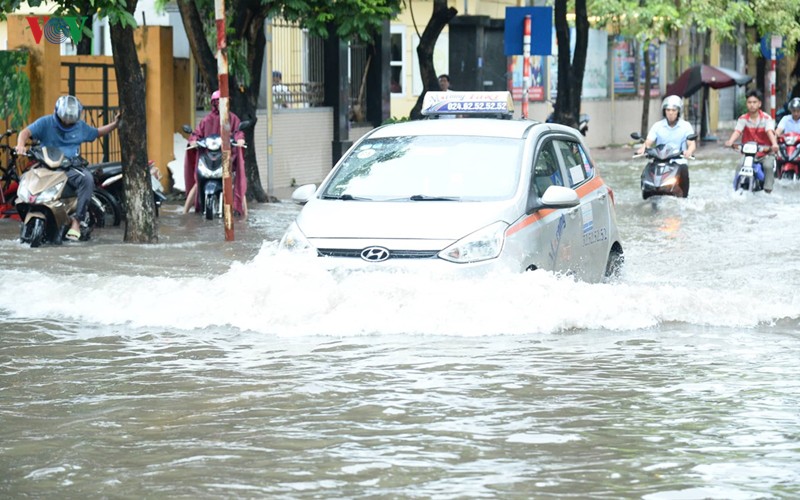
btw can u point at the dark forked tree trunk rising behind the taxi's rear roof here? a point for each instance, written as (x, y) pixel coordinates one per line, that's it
(570, 74)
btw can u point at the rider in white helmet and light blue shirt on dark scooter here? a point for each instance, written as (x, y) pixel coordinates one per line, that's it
(673, 131)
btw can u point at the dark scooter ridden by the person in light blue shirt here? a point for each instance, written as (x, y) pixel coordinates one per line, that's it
(664, 174)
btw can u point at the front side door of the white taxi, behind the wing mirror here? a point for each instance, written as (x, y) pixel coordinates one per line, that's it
(553, 234)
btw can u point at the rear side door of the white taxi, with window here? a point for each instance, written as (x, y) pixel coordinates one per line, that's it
(590, 253)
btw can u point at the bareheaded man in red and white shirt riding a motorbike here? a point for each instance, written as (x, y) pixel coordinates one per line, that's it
(759, 127)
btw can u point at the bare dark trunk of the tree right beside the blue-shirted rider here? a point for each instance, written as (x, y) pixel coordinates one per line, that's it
(140, 225)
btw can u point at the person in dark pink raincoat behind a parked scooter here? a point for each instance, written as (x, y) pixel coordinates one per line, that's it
(210, 126)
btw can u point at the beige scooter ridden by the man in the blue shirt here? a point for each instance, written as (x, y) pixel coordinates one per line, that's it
(46, 200)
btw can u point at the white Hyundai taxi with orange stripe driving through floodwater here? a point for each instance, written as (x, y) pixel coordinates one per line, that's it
(483, 192)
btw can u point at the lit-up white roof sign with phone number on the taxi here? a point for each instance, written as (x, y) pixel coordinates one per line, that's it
(467, 103)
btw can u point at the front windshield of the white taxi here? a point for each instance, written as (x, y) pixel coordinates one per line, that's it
(429, 168)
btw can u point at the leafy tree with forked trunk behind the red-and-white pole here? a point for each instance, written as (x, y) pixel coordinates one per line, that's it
(348, 19)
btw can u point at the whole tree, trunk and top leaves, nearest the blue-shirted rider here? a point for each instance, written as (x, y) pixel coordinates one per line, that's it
(140, 223)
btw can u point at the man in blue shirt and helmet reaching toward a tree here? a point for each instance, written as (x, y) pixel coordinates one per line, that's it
(65, 130)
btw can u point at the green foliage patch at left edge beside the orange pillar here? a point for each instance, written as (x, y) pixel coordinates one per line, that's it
(15, 87)
